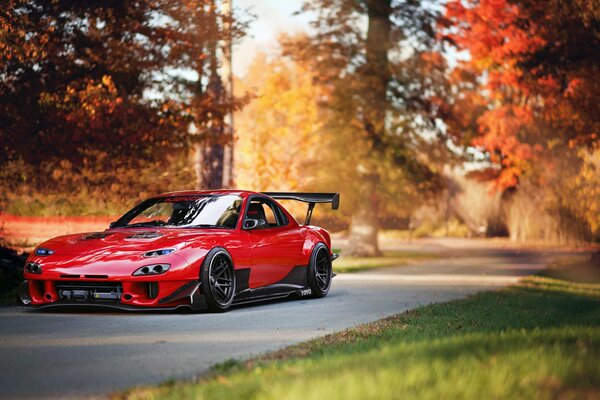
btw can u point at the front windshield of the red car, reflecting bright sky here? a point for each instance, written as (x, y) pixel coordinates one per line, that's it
(202, 211)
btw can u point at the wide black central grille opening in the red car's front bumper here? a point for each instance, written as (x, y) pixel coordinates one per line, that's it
(89, 292)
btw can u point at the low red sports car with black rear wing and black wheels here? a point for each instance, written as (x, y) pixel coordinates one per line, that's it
(202, 250)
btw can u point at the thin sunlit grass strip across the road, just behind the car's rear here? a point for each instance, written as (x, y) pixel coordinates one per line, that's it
(388, 259)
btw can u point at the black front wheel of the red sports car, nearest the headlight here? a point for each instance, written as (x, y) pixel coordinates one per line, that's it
(218, 280)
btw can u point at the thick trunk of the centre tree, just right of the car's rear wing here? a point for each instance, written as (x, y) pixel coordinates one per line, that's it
(375, 75)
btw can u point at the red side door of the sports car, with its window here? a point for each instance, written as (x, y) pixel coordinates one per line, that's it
(275, 243)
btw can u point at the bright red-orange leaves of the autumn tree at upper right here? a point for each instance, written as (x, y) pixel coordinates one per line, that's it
(523, 112)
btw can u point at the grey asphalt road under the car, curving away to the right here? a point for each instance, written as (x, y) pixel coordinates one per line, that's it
(78, 355)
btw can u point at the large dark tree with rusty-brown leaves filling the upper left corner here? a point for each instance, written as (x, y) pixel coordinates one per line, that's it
(107, 83)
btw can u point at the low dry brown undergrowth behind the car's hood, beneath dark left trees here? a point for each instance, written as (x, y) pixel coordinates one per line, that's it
(61, 188)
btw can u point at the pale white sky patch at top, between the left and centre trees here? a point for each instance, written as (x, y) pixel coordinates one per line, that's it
(272, 18)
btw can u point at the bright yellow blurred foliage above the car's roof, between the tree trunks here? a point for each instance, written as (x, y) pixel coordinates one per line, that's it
(278, 129)
